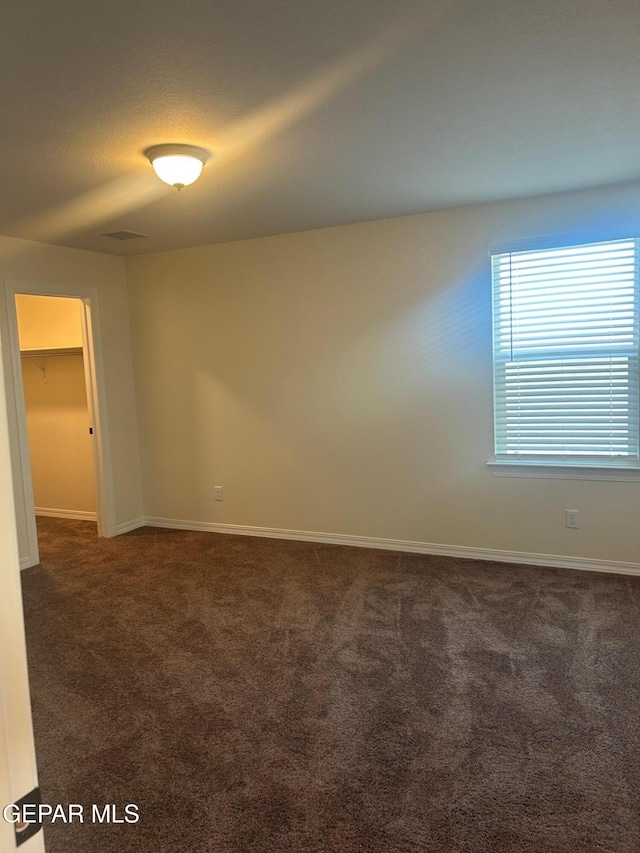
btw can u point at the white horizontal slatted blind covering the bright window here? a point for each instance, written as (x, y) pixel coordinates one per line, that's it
(565, 329)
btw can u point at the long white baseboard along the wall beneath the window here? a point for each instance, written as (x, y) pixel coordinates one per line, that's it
(462, 551)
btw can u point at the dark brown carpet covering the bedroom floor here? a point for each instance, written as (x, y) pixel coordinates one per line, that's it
(262, 695)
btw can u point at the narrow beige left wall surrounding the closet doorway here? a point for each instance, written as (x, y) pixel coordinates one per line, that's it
(27, 261)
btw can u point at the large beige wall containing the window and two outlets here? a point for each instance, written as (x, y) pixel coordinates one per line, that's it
(340, 381)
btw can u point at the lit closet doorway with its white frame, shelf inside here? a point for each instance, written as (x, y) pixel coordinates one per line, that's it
(47, 350)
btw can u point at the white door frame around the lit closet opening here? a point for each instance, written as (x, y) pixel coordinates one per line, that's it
(96, 399)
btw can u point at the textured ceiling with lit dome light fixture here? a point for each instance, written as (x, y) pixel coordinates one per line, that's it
(318, 113)
